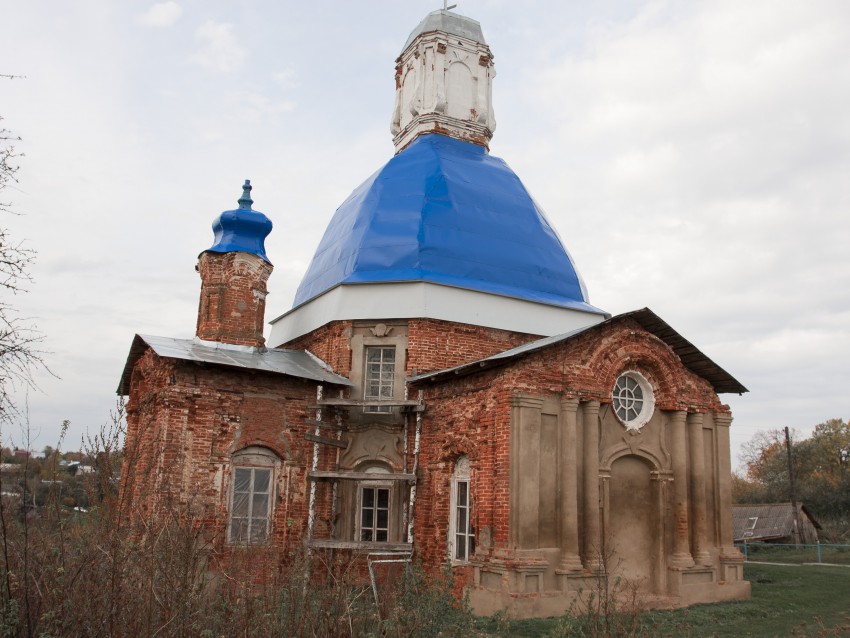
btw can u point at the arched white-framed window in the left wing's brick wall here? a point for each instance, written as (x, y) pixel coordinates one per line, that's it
(252, 495)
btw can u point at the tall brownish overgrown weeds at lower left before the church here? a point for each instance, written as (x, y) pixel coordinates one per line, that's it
(119, 571)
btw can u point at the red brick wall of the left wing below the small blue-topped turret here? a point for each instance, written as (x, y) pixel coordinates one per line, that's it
(184, 422)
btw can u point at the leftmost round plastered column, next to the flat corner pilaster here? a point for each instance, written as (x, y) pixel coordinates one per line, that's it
(568, 482)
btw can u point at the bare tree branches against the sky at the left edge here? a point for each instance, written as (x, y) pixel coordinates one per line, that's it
(19, 339)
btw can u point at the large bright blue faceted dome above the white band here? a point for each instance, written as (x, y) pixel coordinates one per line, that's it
(445, 211)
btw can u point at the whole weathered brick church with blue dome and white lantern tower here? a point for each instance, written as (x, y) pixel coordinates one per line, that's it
(442, 387)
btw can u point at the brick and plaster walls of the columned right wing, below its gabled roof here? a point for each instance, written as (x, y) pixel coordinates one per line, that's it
(563, 490)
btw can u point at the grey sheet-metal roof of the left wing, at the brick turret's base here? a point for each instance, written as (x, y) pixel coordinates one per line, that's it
(294, 363)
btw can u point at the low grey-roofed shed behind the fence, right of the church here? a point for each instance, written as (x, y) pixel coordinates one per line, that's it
(773, 523)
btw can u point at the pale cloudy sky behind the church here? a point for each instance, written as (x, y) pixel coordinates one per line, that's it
(694, 156)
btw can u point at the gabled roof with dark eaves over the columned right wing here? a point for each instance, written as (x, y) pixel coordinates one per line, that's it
(691, 357)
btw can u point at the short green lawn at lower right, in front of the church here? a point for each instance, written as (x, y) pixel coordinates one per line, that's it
(787, 601)
